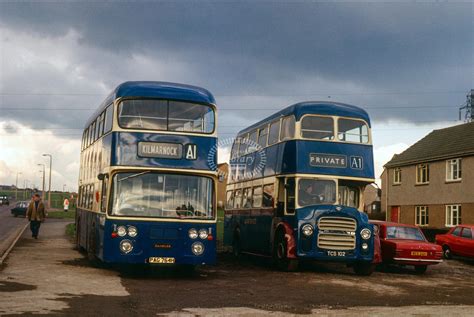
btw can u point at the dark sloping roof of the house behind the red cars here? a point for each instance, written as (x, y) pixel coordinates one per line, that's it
(456, 141)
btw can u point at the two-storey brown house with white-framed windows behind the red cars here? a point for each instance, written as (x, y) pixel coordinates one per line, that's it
(431, 184)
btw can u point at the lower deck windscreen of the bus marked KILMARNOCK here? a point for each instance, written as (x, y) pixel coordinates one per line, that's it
(160, 195)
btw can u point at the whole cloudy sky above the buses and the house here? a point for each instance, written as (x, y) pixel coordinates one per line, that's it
(409, 64)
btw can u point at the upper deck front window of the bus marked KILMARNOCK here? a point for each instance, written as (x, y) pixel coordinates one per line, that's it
(151, 114)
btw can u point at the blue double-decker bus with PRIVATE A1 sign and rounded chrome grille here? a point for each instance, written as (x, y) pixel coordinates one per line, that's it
(296, 185)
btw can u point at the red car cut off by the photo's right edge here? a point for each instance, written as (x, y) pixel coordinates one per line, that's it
(458, 241)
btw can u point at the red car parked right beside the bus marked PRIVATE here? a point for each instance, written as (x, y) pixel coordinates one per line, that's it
(406, 245)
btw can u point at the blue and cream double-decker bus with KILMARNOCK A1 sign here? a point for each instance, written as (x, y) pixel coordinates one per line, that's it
(147, 181)
